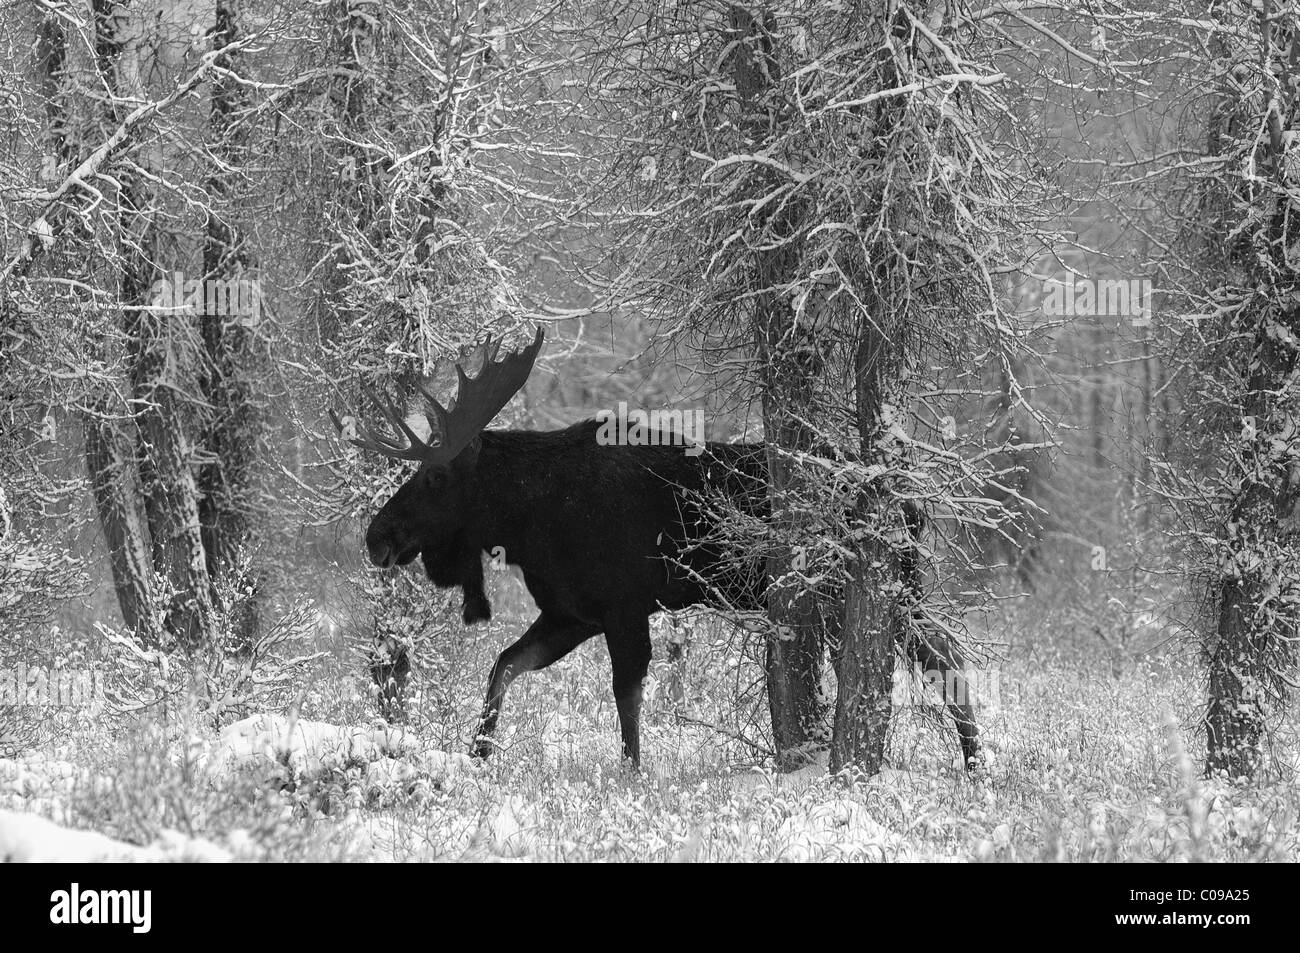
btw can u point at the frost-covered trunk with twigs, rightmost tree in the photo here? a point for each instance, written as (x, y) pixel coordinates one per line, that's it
(1253, 232)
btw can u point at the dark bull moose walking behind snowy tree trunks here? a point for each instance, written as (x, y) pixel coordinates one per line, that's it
(605, 536)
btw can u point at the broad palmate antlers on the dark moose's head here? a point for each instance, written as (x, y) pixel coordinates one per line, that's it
(479, 400)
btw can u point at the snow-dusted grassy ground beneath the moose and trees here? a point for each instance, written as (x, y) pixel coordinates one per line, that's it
(1082, 766)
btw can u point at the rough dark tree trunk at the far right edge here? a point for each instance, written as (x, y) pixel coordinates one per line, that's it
(1253, 648)
